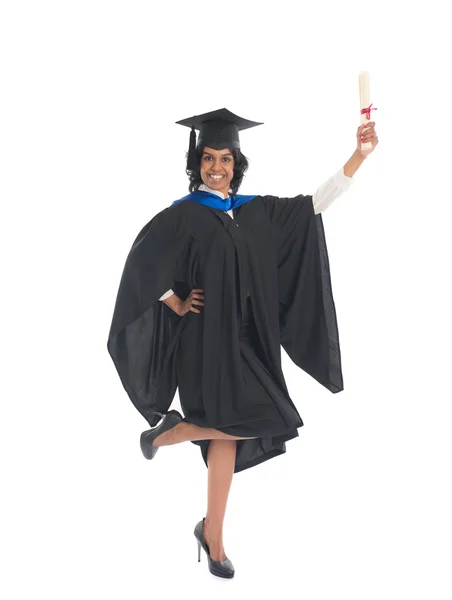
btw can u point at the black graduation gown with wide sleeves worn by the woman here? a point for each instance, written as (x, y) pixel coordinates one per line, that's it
(275, 248)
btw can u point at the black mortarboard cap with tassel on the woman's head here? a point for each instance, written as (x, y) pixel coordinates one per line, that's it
(218, 129)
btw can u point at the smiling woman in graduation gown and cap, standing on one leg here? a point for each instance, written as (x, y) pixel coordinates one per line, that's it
(212, 287)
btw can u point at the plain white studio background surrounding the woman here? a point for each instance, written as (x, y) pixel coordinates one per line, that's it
(359, 506)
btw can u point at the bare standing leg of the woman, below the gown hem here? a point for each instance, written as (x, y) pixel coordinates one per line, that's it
(221, 462)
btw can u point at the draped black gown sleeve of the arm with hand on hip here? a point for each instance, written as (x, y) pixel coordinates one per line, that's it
(143, 331)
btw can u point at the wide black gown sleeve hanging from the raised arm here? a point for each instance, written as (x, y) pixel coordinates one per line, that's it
(307, 316)
